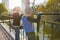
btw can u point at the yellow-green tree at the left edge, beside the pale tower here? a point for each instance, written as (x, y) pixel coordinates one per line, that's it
(4, 12)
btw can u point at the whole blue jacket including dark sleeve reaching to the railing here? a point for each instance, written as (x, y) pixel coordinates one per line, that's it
(27, 23)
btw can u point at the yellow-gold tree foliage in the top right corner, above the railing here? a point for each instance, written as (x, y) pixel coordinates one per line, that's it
(53, 6)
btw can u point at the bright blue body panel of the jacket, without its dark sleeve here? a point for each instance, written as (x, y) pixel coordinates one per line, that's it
(27, 25)
